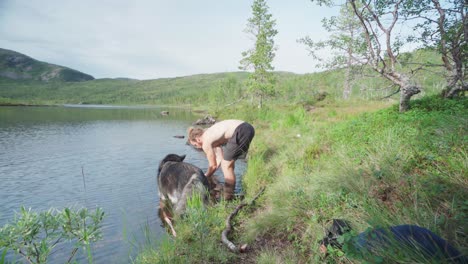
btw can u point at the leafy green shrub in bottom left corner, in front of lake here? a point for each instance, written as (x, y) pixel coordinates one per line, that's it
(34, 235)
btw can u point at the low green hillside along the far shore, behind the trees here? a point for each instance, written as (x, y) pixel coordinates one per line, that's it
(214, 91)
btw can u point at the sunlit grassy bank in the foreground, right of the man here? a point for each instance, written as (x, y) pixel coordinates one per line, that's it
(364, 162)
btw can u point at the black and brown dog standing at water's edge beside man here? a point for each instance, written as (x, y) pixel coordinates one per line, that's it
(178, 181)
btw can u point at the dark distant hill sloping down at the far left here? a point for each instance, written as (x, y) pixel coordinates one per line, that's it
(17, 66)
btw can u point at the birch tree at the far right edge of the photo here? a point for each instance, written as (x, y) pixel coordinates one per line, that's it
(444, 27)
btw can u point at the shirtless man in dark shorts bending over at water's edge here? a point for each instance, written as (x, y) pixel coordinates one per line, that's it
(236, 134)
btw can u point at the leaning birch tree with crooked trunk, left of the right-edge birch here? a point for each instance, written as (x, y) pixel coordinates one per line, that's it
(377, 20)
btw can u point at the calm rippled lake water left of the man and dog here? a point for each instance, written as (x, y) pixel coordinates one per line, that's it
(45, 151)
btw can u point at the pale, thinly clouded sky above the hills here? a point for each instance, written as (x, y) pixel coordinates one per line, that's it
(150, 39)
